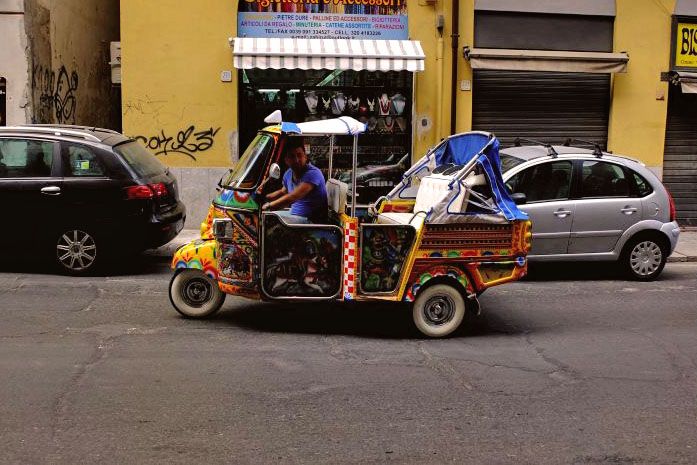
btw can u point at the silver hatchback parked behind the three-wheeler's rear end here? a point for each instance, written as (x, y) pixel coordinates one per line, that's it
(592, 205)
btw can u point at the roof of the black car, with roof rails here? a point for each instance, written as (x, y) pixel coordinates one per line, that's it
(67, 132)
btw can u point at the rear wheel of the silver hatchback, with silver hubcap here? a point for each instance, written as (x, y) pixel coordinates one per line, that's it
(644, 257)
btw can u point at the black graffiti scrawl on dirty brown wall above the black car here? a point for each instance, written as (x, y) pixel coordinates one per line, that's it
(55, 93)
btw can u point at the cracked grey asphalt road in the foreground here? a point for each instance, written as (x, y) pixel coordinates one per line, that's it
(569, 367)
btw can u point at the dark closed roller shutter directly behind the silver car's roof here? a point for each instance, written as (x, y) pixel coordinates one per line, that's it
(549, 107)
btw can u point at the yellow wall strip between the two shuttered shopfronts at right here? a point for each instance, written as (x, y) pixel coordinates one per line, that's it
(639, 98)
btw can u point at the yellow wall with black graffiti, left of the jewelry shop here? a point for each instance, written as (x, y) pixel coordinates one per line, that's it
(173, 54)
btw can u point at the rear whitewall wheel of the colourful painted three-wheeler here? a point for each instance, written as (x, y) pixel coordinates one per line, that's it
(438, 310)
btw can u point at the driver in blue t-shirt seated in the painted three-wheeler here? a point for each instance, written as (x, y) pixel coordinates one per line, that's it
(303, 188)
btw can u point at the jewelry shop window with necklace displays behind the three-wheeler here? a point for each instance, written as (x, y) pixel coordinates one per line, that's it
(381, 100)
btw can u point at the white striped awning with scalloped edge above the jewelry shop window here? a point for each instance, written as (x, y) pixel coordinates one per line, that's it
(343, 54)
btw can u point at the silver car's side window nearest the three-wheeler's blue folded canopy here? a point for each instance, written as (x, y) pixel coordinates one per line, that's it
(543, 182)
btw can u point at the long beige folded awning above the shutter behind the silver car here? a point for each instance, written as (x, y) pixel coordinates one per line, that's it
(546, 60)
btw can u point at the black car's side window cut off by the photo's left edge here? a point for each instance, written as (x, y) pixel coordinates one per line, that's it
(21, 158)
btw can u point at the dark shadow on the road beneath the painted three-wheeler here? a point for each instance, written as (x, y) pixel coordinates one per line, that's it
(370, 320)
